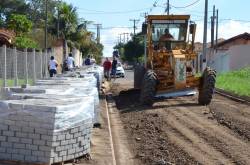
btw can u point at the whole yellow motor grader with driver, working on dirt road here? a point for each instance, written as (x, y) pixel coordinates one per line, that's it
(171, 63)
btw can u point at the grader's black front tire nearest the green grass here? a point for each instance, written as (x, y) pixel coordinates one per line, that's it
(207, 86)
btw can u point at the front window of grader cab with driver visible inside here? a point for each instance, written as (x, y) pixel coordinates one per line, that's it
(175, 33)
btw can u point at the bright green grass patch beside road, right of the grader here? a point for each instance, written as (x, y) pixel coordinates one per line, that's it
(237, 82)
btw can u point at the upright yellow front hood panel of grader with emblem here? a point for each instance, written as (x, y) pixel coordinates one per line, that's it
(179, 63)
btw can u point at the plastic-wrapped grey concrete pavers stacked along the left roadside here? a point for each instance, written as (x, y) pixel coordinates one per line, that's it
(49, 122)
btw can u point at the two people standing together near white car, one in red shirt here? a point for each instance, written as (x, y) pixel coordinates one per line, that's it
(110, 68)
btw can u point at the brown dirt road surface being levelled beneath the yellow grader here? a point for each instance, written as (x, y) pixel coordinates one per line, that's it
(178, 131)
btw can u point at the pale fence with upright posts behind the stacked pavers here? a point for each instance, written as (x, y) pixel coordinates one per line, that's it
(18, 67)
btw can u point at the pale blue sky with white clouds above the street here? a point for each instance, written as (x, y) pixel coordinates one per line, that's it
(115, 16)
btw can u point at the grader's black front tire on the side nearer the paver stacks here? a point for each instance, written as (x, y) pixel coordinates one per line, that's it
(148, 89)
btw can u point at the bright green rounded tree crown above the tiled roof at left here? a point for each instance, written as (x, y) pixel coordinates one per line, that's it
(19, 24)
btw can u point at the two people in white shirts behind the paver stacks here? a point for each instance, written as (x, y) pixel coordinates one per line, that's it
(69, 65)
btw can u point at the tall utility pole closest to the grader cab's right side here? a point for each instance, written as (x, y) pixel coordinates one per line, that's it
(204, 53)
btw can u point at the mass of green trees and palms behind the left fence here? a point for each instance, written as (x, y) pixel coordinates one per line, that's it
(71, 28)
